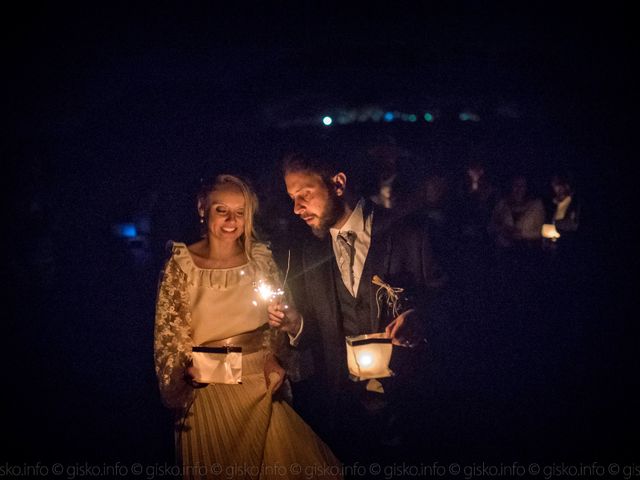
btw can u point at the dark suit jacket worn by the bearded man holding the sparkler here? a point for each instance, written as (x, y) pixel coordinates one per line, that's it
(400, 253)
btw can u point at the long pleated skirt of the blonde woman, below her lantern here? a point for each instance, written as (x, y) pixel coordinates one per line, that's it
(240, 431)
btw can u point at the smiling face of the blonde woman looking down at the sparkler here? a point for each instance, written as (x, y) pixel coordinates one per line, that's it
(226, 213)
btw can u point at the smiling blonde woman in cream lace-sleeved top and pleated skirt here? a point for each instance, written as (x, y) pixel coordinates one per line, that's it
(216, 357)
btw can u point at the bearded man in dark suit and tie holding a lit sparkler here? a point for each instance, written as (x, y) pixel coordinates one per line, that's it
(355, 241)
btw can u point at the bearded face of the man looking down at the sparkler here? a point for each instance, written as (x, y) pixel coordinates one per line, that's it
(314, 201)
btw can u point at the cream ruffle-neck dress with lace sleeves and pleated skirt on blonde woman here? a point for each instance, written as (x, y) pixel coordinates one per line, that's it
(228, 431)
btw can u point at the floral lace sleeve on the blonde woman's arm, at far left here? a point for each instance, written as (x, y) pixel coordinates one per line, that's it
(172, 337)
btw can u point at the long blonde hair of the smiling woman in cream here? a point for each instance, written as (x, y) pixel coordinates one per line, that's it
(250, 205)
